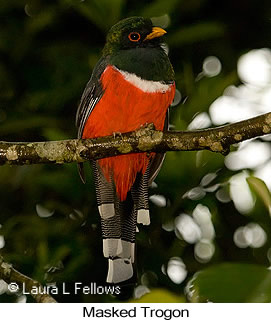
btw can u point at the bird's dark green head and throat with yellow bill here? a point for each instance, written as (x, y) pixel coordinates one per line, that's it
(134, 45)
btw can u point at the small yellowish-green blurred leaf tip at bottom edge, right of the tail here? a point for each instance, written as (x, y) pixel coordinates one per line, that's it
(160, 295)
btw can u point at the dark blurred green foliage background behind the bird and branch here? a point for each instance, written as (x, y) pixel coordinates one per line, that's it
(49, 219)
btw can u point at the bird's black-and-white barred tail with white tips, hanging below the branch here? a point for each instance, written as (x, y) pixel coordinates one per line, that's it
(118, 221)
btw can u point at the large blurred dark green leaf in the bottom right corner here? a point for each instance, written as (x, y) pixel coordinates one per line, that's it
(231, 283)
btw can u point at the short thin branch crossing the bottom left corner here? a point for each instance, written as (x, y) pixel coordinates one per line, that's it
(17, 280)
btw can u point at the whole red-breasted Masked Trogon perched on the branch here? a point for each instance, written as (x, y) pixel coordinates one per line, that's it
(131, 85)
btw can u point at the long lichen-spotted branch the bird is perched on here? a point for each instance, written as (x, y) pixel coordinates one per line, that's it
(144, 139)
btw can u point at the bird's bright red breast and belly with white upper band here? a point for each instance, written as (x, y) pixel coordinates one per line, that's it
(127, 104)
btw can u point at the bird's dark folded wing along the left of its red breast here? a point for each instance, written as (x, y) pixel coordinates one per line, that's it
(90, 97)
